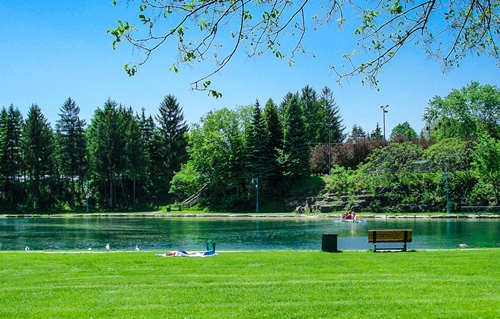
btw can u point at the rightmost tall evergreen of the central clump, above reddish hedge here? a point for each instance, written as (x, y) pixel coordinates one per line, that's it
(331, 117)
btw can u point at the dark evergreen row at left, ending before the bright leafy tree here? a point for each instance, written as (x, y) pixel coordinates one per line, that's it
(120, 160)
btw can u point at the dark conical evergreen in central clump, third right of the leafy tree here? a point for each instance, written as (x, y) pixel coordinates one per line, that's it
(296, 152)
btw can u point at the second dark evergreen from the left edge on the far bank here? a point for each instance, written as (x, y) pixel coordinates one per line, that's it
(38, 147)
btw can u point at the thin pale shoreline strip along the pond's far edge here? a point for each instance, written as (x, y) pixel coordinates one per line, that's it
(159, 214)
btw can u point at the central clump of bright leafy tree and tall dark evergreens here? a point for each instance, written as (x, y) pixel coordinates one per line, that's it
(229, 149)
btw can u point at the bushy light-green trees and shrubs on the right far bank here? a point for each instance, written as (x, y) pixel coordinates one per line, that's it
(461, 138)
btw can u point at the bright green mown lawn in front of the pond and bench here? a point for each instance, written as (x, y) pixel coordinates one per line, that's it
(258, 284)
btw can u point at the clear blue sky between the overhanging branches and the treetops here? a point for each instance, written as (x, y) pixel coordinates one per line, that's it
(52, 50)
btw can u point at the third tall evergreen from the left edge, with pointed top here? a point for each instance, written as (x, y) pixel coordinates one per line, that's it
(72, 154)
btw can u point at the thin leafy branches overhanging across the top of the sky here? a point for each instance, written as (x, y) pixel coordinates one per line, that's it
(216, 30)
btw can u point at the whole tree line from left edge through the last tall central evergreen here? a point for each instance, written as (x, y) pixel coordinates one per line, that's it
(122, 159)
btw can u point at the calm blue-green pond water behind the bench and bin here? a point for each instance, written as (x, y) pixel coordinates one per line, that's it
(235, 233)
